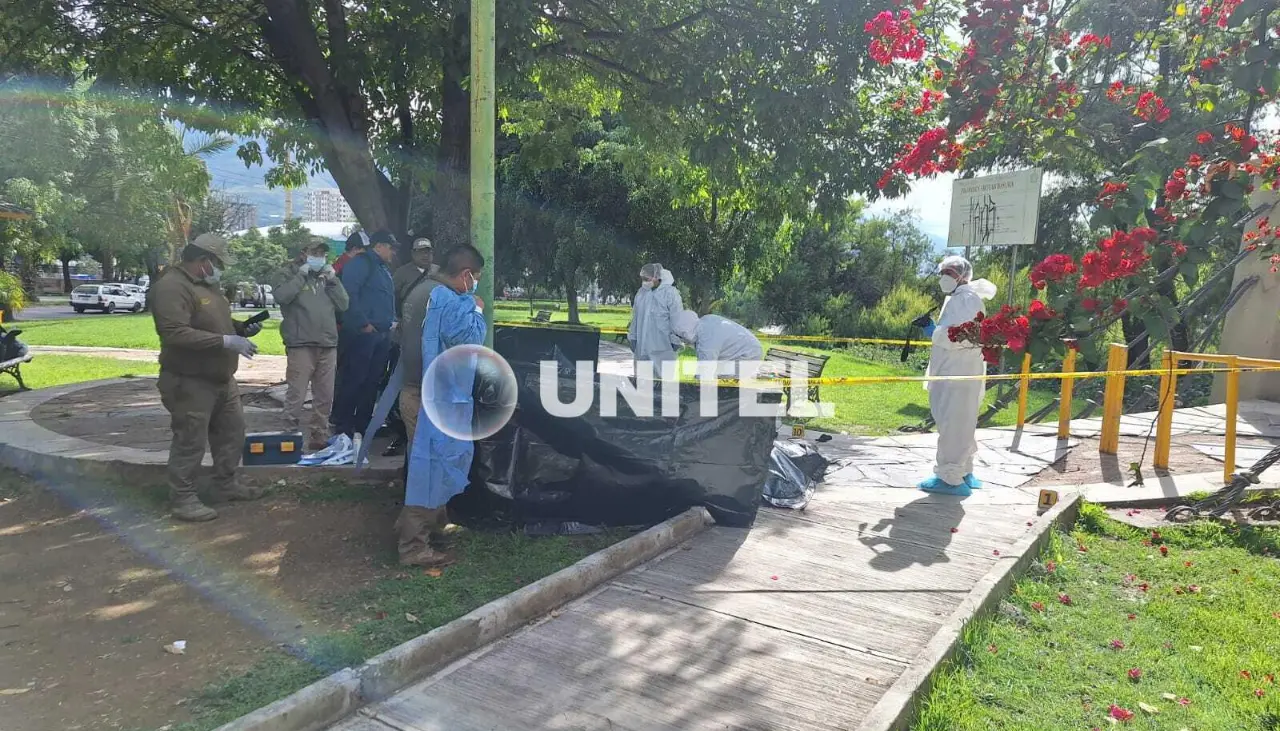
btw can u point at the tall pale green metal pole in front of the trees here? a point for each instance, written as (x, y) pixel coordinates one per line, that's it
(483, 115)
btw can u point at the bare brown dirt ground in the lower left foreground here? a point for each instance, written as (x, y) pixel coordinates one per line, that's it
(93, 596)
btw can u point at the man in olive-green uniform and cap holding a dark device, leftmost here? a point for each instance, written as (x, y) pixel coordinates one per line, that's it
(200, 350)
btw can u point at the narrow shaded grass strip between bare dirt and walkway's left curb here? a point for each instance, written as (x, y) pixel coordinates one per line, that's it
(490, 566)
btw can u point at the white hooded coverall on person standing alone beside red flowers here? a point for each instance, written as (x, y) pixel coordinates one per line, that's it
(956, 404)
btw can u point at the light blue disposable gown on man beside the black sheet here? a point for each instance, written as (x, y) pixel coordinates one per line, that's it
(438, 464)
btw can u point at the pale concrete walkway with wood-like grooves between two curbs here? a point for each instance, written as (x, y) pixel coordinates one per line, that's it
(803, 622)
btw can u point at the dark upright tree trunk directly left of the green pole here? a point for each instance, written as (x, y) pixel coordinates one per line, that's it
(451, 194)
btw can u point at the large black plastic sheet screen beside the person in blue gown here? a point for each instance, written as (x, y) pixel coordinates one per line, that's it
(624, 470)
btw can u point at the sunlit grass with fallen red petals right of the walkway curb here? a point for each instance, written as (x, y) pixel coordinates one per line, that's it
(1186, 641)
